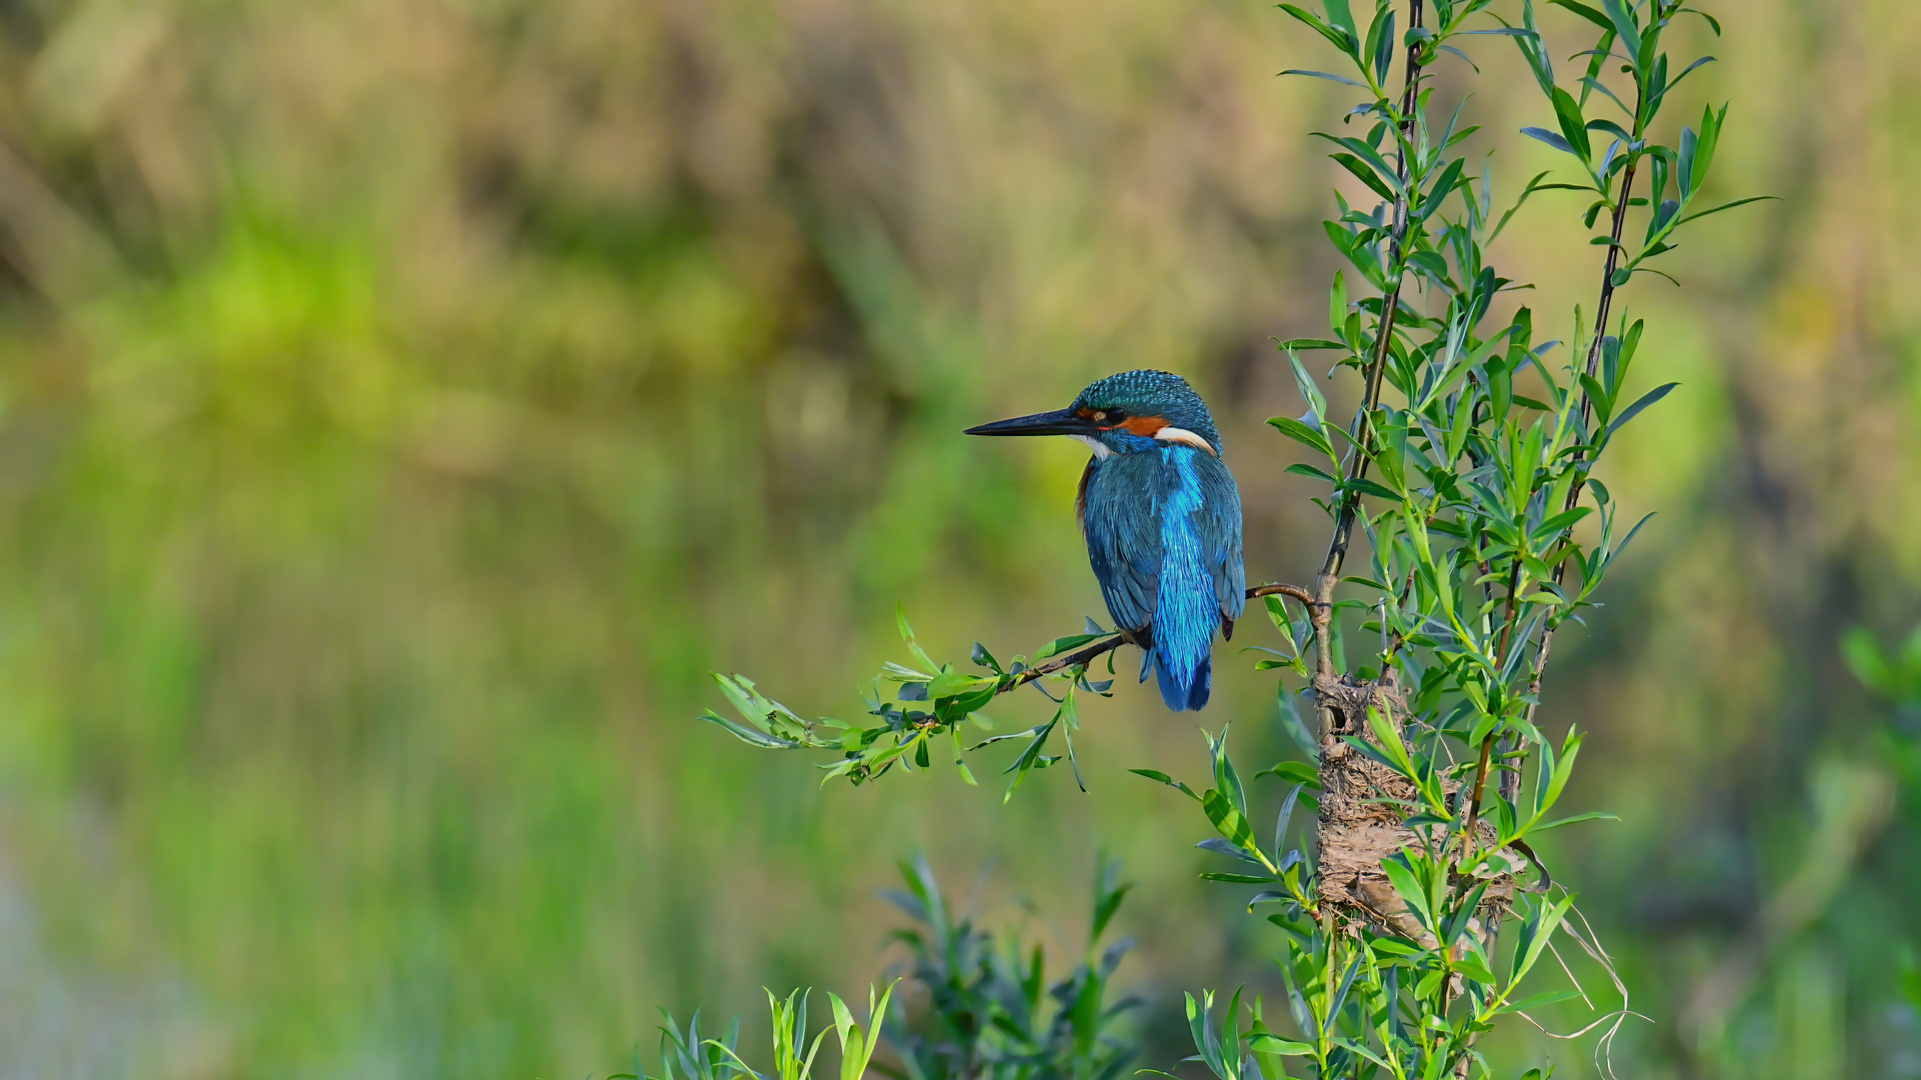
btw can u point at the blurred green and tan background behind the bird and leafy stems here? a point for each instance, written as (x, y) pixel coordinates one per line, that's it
(406, 403)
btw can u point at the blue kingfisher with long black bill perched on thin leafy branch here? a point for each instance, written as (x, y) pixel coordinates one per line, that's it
(1161, 518)
